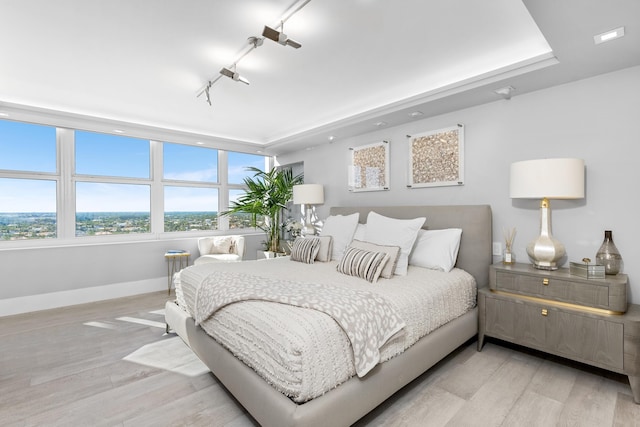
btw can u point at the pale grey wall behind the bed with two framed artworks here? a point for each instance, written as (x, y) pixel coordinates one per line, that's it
(595, 119)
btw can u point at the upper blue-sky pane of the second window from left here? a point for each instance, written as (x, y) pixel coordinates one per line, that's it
(111, 155)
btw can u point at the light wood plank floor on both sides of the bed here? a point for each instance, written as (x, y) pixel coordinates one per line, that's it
(65, 367)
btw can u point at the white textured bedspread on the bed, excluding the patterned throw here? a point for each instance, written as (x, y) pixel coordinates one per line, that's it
(304, 353)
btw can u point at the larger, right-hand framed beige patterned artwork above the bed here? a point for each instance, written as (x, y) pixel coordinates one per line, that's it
(436, 158)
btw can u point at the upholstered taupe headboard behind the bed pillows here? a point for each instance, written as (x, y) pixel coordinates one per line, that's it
(475, 221)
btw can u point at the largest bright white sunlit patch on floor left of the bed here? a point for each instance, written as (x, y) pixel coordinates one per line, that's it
(170, 354)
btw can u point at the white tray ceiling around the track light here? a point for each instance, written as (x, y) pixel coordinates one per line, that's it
(143, 62)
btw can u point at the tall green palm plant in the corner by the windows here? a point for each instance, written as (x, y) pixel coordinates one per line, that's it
(266, 196)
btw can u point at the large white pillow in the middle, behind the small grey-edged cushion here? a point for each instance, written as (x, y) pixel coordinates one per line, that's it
(394, 232)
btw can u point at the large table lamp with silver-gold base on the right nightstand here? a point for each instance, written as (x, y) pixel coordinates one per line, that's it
(547, 179)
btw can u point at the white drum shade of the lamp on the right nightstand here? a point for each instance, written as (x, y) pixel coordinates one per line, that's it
(547, 178)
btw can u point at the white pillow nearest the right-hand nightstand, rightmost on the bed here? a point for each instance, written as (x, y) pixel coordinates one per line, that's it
(436, 249)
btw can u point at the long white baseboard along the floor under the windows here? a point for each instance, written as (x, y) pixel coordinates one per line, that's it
(19, 305)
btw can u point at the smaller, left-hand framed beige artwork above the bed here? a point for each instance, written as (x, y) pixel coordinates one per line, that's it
(369, 167)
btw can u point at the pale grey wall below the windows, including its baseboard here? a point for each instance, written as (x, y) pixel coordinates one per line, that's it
(47, 277)
